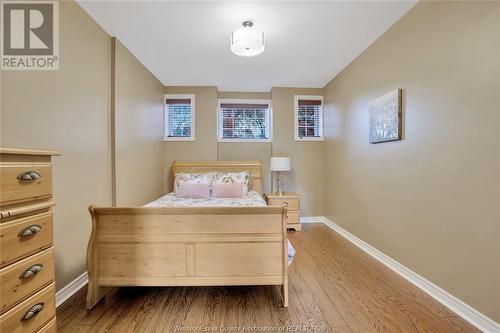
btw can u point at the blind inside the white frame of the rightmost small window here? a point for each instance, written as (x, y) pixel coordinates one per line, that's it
(309, 118)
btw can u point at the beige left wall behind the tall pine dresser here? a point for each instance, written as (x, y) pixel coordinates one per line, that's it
(69, 110)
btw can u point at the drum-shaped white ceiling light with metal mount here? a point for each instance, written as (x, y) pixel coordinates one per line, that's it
(247, 41)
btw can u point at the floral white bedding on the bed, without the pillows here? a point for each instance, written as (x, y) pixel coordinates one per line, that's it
(252, 199)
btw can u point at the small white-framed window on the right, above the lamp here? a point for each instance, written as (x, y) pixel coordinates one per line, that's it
(308, 118)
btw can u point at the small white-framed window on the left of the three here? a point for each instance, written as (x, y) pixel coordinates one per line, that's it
(179, 118)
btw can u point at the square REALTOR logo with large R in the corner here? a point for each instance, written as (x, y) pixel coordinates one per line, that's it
(30, 35)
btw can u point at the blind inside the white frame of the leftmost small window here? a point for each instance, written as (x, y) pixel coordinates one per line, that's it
(179, 118)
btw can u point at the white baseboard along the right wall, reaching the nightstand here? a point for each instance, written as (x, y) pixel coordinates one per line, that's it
(465, 311)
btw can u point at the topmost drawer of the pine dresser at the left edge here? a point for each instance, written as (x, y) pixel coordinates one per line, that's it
(37, 182)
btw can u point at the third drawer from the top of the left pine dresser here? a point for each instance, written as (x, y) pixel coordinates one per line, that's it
(23, 278)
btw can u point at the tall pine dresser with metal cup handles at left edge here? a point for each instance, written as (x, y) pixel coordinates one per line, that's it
(27, 290)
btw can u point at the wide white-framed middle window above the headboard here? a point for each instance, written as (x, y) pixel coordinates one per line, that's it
(244, 120)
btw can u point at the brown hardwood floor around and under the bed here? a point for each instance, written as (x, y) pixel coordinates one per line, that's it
(334, 287)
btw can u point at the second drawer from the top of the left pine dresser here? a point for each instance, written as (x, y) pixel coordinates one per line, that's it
(37, 230)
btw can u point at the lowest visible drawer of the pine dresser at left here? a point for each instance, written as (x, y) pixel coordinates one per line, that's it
(16, 321)
